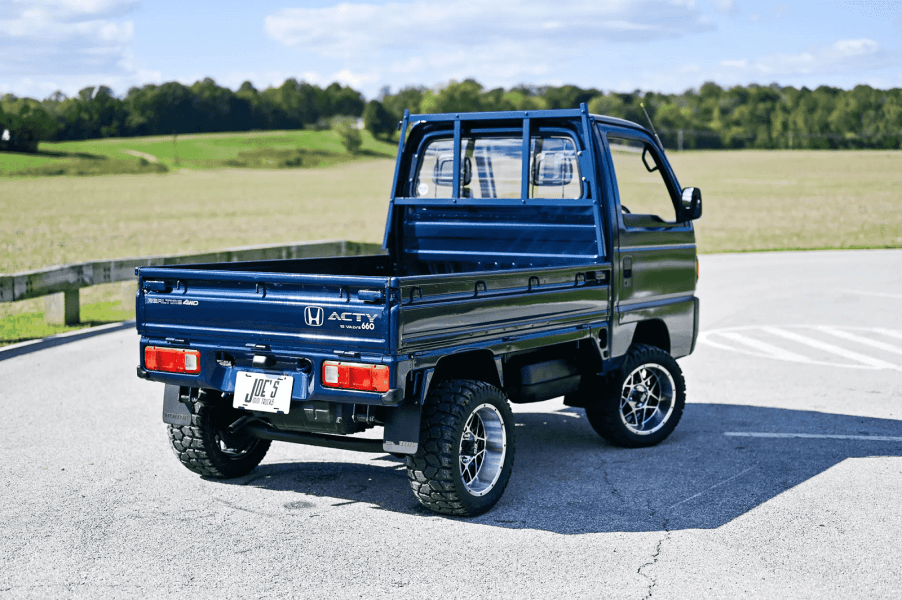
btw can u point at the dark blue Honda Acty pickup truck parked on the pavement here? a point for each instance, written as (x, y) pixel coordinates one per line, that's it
(529, 256)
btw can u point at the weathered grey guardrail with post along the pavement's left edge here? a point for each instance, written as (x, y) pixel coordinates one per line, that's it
(61, 284)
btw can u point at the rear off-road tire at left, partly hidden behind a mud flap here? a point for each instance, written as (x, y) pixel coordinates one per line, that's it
(208, 448)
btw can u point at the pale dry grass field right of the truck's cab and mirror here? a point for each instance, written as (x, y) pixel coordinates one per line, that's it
(795, 200)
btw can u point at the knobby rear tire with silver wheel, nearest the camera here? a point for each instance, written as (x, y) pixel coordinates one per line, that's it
(445, 474)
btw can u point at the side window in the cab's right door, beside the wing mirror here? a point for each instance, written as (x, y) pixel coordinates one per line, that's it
(640, 182)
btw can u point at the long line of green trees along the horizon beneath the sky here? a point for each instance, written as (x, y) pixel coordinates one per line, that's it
(711, 117)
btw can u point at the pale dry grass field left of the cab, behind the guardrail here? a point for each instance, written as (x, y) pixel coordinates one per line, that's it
(58, 220)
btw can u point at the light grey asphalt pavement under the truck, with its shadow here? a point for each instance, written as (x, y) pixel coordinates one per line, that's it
(782, 480)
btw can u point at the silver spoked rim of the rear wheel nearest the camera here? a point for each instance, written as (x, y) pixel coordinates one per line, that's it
(483, 446)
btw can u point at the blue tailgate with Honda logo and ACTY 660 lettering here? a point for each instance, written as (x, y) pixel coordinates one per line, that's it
(281, 310)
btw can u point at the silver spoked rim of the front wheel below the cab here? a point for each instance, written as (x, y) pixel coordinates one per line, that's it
(647, 399)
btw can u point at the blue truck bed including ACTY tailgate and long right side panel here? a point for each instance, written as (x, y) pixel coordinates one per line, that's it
(358, 304)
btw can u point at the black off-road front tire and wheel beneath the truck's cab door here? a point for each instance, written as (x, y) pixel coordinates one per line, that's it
(622, 411)
